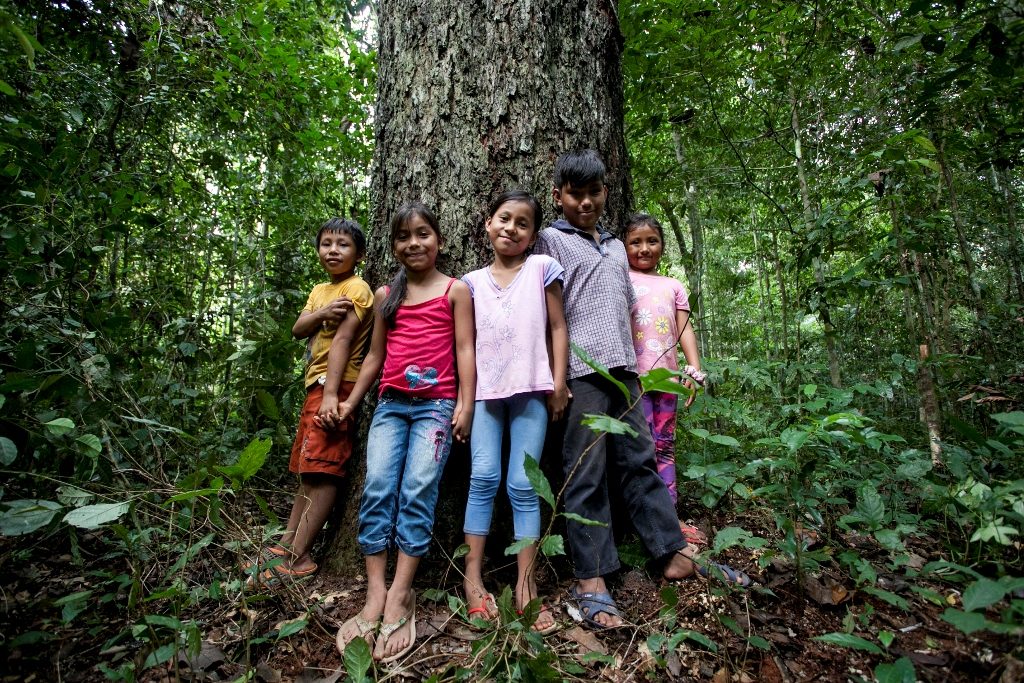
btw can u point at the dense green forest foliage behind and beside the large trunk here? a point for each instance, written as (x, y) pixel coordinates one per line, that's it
(842, 187)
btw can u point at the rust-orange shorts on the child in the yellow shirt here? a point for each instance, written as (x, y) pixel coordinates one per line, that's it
(318, 451)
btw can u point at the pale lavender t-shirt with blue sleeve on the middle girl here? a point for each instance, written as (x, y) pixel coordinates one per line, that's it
(511, 330)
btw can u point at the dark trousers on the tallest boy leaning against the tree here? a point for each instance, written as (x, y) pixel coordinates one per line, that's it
(630, 460)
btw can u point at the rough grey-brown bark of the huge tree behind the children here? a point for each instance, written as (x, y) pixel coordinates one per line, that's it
(475, 99)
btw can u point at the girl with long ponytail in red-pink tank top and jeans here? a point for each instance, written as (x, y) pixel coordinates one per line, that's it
(422, 351)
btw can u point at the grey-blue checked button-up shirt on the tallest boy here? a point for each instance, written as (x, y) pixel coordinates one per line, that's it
(598, 297)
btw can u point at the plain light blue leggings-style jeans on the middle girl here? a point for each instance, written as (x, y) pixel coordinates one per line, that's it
(527, 416)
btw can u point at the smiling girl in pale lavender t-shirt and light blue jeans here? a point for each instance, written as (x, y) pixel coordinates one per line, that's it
(521, 383)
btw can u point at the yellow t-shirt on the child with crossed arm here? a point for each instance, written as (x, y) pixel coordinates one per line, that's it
(319, 345)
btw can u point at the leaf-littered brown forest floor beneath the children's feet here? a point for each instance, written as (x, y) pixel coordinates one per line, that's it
(786, 613)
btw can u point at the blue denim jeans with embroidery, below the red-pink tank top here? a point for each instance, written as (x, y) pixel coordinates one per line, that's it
(407, 449)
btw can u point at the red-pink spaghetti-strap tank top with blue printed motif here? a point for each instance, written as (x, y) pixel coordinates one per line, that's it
(420, 358)
